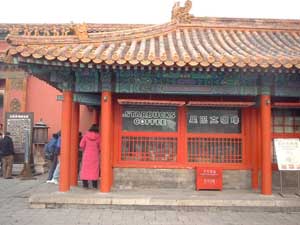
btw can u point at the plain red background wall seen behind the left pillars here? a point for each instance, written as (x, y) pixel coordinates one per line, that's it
(41, 99)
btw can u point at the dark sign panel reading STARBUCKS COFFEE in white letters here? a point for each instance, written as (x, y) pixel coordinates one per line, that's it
(153, 118)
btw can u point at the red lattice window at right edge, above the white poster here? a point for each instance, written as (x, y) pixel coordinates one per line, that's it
(286, 120)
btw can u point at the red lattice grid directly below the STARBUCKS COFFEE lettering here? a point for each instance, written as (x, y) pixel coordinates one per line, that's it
(156, 149)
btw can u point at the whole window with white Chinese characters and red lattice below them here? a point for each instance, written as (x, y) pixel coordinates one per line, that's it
(214, 135)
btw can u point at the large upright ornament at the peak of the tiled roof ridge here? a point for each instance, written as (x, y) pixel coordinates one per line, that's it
(182, 14)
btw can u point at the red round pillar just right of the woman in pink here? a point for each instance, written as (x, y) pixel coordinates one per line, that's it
(106, 145)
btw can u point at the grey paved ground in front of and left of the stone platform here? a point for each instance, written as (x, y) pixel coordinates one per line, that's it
(14, 209)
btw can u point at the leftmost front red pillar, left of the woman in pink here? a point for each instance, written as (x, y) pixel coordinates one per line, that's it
(64, 180)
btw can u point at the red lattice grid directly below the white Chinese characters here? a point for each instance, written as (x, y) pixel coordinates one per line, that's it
(215, 150)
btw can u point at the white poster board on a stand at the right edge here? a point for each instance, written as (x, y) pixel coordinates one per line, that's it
(287, 153)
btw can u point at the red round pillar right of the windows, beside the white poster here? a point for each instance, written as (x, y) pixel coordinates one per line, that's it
(265, 107)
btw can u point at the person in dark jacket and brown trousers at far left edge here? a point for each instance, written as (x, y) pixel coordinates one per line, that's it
(7, 152)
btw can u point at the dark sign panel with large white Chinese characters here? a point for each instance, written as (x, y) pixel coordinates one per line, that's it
(213, 120)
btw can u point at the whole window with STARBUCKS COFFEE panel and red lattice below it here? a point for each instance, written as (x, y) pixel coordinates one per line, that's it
(149, 133)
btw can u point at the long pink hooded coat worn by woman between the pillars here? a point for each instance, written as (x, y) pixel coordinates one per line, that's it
(90, 164)
